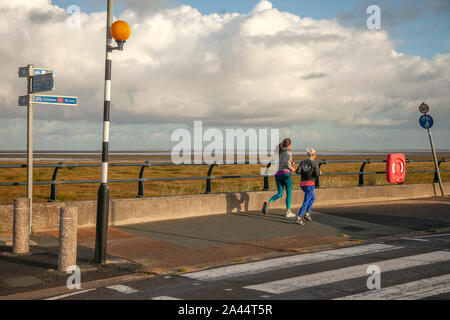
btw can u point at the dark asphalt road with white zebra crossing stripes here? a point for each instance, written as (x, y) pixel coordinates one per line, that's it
(415, 267)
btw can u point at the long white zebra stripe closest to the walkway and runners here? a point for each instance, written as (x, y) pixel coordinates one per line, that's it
(286, 262)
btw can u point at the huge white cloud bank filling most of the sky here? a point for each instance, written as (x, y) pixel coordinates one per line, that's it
(264, 68)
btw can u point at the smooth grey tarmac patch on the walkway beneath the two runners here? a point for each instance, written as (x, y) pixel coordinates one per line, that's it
(238, 227)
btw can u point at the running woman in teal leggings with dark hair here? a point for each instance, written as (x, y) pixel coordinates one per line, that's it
(283, 177)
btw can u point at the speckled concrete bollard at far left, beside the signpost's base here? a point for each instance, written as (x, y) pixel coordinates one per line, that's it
(21, 225)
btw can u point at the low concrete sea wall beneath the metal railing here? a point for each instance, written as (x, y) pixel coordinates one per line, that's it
(129, 211)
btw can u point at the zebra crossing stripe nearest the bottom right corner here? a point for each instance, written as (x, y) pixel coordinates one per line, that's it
(408, 291)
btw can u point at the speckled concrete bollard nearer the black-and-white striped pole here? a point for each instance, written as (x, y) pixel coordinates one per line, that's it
(68, 225)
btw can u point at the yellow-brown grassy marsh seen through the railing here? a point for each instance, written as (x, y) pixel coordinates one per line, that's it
(130, 189)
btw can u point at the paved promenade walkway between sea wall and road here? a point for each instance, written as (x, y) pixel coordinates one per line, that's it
(196, 243)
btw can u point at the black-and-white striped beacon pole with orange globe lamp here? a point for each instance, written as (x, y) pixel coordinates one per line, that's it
(120, 30)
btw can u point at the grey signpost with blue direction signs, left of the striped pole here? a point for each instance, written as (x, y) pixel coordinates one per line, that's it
(38, 80)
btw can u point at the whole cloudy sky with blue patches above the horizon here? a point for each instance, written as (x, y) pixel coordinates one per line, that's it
(312, 69)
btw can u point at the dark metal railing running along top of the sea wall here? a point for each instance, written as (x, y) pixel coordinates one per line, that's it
(209, 177)
